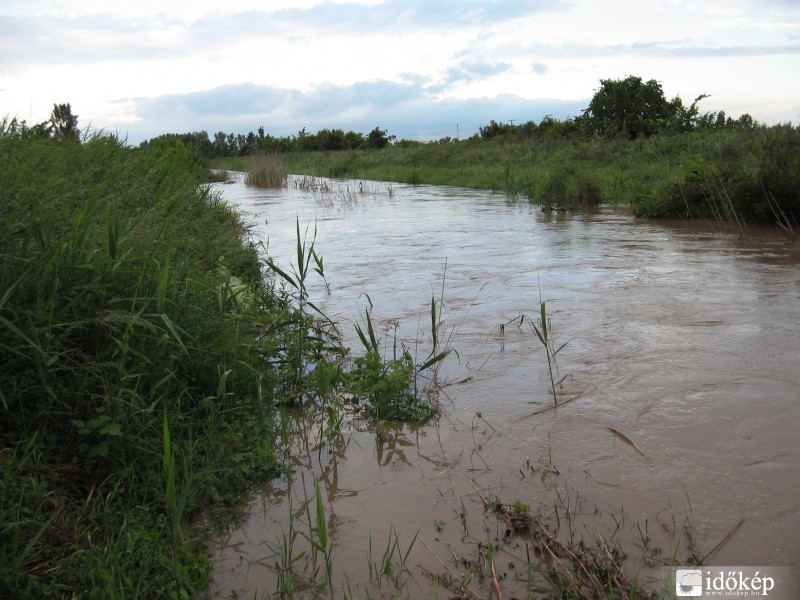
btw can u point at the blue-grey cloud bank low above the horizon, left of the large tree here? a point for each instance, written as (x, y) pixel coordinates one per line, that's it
(406, 110)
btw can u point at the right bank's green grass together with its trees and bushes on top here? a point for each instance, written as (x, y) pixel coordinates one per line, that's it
(630, 147)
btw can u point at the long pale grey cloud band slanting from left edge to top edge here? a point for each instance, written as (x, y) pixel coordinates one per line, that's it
(25, 40)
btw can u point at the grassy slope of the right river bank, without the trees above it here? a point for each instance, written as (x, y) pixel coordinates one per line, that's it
(752, 174)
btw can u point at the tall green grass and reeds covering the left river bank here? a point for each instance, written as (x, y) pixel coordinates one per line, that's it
(147, 358)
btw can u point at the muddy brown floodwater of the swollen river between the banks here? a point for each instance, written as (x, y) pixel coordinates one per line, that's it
(678, 418)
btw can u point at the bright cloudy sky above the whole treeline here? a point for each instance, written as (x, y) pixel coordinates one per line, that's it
(420, 69)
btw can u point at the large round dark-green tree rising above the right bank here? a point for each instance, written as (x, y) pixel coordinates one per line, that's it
(629, 106)
